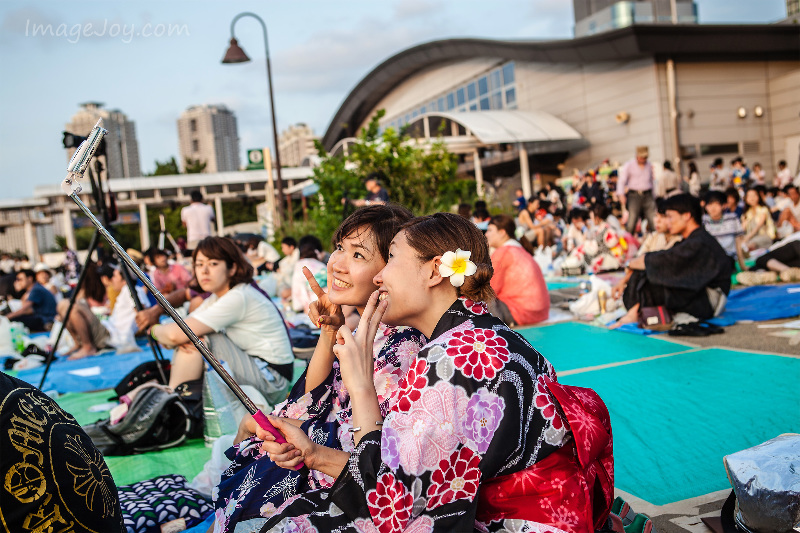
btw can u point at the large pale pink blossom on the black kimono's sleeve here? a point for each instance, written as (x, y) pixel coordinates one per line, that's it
(432, 428)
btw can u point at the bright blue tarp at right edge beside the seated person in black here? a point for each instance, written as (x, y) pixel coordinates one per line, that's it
(761, 303)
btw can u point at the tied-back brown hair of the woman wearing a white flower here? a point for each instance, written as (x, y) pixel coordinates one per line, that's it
(436, 234)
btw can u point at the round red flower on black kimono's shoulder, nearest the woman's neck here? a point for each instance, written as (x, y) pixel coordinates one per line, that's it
(478, 353)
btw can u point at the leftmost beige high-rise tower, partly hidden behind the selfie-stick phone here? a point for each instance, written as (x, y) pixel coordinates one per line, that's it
(122, 149)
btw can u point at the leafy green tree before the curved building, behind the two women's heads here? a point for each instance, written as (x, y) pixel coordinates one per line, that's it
(420, 177)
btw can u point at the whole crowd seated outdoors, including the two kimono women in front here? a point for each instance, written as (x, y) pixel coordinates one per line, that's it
(403, 410)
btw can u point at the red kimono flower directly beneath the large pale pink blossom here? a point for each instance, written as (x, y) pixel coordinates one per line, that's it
(457, 478)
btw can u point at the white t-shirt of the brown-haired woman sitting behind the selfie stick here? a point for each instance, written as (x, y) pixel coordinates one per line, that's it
(250, 321)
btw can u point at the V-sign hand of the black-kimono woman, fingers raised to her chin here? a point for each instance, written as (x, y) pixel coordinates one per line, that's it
(355, 352)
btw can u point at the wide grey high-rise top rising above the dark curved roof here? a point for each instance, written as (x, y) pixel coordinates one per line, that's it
(595, 16)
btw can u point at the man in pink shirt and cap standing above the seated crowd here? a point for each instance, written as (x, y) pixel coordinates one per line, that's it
(635, 188)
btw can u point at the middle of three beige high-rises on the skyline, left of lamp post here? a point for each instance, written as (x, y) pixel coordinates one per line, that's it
(208, 133)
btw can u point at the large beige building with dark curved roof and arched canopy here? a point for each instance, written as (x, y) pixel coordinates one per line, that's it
(513, 109)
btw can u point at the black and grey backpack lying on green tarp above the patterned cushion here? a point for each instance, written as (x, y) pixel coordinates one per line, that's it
(156, 420)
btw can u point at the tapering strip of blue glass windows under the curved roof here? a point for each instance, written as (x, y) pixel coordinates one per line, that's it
(490, 90)
